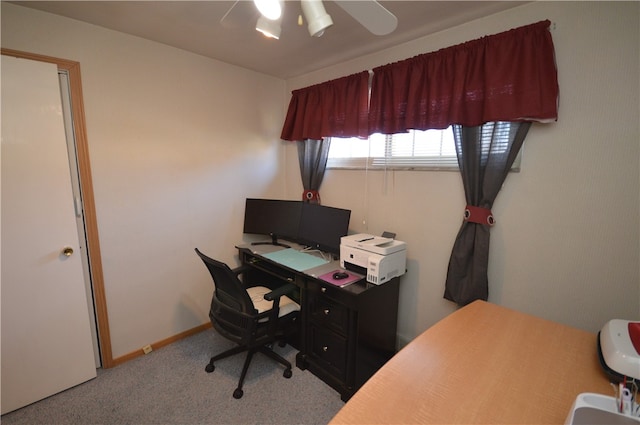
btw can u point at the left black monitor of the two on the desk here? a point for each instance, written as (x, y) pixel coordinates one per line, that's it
(275, 217)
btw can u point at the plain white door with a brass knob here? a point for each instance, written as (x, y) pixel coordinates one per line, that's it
(46, 343)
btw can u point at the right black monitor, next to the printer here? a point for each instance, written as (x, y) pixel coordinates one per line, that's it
(321, 227)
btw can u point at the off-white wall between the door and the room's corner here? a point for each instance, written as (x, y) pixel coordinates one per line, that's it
(176, 142)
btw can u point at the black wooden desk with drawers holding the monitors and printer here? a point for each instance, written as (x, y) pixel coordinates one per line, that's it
(346, 333)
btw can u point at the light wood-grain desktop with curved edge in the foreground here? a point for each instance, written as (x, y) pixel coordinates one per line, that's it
(482, 364)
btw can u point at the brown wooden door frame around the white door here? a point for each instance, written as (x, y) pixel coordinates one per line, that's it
(88, 201)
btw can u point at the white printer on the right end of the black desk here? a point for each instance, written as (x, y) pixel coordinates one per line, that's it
(381, 258)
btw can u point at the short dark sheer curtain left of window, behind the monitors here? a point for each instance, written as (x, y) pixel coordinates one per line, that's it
(312, 156)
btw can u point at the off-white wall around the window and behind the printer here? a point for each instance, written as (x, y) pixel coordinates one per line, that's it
(566, 243)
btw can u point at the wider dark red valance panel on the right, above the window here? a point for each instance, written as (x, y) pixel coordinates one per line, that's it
(509, 76)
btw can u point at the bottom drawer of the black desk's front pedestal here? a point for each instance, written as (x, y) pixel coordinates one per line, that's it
(329, 349)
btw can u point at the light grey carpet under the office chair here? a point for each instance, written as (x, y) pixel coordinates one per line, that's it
(170, 386)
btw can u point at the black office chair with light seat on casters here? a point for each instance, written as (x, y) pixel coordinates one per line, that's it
(254, 317)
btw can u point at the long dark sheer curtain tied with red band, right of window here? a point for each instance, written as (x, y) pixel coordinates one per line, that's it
(485, 156)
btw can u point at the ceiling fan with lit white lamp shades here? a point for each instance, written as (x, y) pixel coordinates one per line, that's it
(369, 13)
